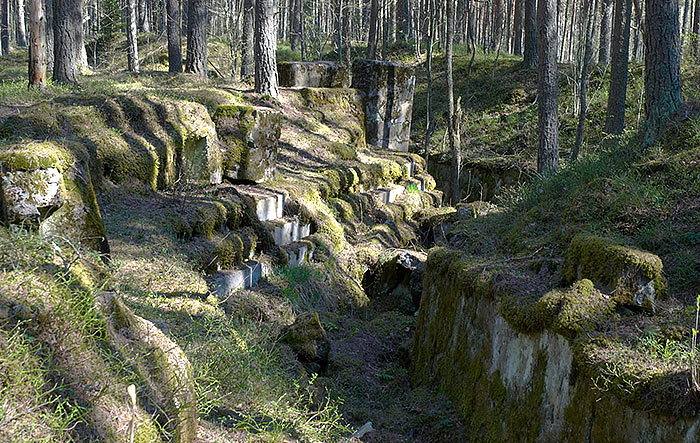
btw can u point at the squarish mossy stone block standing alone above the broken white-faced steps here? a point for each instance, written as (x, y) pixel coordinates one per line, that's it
(249, 137)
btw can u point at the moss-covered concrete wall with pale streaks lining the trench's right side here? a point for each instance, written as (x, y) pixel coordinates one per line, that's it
(511, 384)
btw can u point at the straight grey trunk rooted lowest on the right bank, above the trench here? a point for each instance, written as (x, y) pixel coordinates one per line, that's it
(548, 121)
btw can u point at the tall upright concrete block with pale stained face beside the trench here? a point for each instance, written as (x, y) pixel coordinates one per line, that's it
(388, 89)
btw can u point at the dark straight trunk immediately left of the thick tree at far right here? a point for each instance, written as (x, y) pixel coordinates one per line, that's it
(619, 62)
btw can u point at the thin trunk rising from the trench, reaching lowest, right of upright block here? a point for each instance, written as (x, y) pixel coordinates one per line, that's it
(452, 116)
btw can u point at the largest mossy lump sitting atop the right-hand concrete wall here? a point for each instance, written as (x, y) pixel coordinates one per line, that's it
(635, 277)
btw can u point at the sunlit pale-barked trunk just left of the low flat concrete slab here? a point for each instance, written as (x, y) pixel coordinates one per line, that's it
(265, 48)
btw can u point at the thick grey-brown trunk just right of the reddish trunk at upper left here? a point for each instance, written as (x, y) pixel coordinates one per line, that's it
(68, 40)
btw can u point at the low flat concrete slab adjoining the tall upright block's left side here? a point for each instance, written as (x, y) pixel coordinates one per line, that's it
(313, 75)
